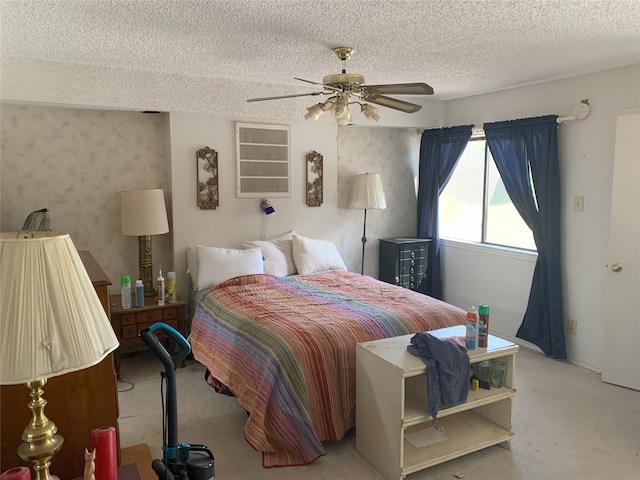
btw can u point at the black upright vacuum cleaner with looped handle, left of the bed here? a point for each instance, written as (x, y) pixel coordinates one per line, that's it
(180, 461)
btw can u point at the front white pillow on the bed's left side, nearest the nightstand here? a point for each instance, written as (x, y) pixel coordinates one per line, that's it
(215, 265)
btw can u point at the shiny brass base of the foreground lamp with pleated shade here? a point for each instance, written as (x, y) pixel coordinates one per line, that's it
(41, 442)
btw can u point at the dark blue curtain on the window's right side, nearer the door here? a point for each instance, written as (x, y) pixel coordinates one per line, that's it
(526, 154)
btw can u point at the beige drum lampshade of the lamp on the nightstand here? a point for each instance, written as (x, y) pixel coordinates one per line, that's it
(143, 212)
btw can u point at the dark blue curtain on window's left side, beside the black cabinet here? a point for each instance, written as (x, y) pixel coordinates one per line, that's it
(440, 150)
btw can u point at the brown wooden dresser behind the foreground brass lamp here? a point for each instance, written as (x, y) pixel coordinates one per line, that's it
(77, 403)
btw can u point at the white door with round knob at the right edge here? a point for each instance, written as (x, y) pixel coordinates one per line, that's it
(621, 360)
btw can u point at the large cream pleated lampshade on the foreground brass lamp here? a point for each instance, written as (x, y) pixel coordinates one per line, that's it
(51, 319)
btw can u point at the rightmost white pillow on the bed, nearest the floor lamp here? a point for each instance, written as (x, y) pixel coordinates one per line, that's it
(311, 255)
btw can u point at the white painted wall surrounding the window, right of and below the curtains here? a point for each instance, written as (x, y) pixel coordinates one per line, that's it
(586, 156)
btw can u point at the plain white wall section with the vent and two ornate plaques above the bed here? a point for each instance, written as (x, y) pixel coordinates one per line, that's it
(238, 219)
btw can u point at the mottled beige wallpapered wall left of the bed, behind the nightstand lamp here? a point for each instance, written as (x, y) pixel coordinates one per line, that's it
(75, 163)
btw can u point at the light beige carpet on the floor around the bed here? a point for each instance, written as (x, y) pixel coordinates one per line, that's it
(567, 423)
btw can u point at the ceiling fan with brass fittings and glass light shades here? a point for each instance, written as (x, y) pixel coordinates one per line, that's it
(349, 88)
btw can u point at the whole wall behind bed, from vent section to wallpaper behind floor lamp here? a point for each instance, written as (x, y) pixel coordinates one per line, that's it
(347, 151)
